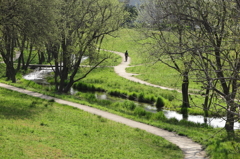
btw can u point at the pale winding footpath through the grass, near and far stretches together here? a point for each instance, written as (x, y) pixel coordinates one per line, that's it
(190, 149)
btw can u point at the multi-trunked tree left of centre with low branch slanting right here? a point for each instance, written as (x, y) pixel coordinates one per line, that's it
(81, 29)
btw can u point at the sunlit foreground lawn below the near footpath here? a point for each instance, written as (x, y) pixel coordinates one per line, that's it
(35, 128)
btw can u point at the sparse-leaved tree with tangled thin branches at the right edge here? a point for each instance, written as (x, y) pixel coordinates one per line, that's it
(213, 41)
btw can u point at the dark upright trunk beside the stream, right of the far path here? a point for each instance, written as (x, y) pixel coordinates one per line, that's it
(185, 102)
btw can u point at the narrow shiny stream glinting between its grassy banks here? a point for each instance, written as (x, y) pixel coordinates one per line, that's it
(39, 76)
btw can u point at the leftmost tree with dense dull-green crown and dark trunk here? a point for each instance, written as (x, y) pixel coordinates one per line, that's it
(23, 24)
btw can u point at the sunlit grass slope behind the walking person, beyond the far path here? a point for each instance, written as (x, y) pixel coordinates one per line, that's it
(156, 73)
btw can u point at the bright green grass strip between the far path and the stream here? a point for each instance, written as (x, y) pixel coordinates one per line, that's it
(107, 79)
